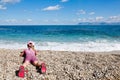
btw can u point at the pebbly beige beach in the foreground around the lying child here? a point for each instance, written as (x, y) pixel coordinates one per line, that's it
(63, 65)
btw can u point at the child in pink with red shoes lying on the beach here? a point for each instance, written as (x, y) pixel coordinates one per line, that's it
(30, 57)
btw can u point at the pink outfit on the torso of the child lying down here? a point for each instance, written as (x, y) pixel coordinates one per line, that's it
(30, 55)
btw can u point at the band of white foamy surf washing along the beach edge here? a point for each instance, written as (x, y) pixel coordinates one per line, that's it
(97, 46)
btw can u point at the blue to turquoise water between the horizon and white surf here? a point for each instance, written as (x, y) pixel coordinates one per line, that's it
(60, 34)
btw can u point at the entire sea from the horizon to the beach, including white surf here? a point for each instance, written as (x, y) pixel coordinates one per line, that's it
(85, 38)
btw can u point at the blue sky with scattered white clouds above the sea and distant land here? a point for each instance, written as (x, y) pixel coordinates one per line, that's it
(58, 12)
